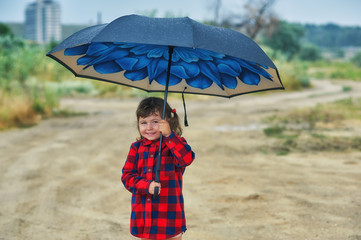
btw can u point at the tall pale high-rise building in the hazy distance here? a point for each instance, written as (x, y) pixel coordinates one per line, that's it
(42, 21)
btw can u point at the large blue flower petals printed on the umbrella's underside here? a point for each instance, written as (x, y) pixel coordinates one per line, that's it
(198, 67)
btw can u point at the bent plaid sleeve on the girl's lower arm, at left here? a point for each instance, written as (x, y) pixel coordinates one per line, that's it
(131, 178)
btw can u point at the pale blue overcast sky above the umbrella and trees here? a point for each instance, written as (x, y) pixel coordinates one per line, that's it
(342, 12)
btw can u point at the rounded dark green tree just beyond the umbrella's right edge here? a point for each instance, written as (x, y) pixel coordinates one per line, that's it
(286, 38)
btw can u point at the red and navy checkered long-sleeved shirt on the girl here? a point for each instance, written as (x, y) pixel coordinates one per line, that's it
(162, 218)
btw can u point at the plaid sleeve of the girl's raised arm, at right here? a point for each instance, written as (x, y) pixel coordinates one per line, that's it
(182, 152)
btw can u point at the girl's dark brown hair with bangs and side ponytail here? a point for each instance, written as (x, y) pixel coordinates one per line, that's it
(154, 105)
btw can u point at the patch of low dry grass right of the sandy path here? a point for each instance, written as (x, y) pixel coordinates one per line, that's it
(325, 127)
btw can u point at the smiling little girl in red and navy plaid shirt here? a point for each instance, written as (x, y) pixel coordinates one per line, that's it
(161, 218)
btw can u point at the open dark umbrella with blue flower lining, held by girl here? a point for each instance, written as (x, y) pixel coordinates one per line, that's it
(169, 55)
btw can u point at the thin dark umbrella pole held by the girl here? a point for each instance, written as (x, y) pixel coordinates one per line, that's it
(159, 157)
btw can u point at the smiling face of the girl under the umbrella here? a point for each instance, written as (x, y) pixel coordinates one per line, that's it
(149, 127)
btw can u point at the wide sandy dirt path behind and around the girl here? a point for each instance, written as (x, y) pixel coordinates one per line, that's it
(61, 179)
